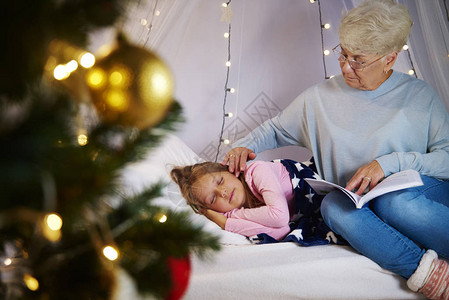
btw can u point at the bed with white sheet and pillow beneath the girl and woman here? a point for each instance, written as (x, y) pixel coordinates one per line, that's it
(242, 270)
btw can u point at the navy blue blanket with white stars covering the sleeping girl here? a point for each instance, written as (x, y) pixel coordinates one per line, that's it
(307, 227)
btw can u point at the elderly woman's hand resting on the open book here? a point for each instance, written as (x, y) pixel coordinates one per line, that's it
(367, 176)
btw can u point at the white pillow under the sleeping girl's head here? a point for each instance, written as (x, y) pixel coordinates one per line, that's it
(156, 167)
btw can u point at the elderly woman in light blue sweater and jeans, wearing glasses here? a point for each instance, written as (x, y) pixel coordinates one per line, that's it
(366, 124)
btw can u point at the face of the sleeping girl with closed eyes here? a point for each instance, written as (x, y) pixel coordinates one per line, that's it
(220, 191)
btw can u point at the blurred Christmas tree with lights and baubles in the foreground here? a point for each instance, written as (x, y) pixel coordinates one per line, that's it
(68, 125)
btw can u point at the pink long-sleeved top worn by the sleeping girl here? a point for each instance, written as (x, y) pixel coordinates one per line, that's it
(270, 183)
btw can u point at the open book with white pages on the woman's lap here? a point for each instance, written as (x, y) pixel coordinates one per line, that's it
(397, 181)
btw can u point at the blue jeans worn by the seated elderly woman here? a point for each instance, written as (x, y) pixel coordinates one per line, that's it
(395, 229)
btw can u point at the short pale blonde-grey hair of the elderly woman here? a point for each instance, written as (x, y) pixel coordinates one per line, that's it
(375, 27)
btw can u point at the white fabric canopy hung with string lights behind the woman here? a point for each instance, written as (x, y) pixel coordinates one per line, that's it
(276, 53)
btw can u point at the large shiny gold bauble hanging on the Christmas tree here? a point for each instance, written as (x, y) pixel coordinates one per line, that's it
(131, 86)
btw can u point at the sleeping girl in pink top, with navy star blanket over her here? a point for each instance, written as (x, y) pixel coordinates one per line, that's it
(262, 200)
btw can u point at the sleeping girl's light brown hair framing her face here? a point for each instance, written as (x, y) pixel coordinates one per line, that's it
(186, 177)
